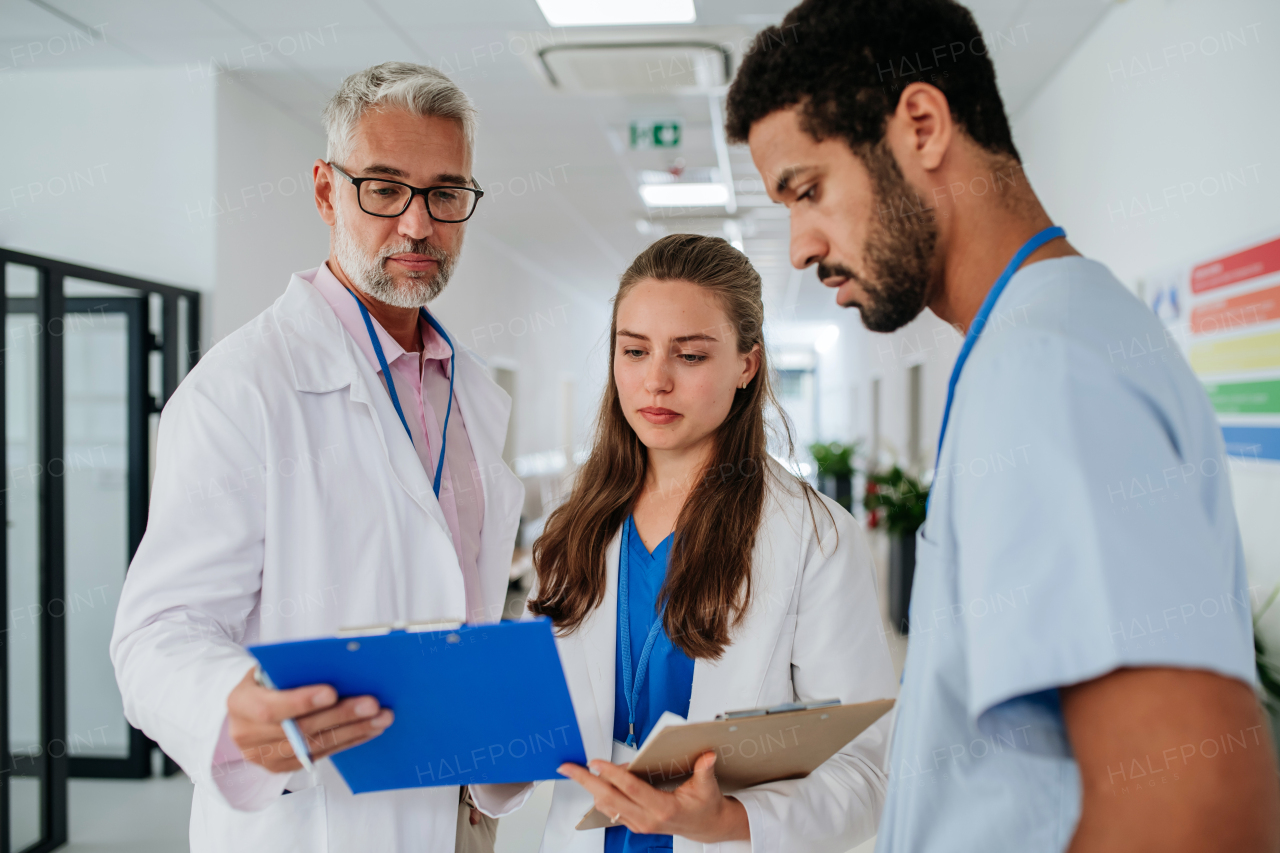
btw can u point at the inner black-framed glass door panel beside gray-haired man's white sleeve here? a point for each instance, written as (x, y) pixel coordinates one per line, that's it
(106, 410)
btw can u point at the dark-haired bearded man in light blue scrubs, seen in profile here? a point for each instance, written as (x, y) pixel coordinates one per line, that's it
(1081, 667)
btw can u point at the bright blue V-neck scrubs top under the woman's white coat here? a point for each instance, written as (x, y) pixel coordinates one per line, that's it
(670, 681)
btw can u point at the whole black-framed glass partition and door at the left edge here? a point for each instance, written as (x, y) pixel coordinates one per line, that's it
(90, 358)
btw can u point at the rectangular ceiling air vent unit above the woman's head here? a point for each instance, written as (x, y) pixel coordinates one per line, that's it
(670, 67)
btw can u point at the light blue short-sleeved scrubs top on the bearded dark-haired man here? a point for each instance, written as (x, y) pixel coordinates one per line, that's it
(1081, 521)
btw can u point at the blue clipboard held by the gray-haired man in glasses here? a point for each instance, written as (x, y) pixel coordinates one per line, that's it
(478, 705)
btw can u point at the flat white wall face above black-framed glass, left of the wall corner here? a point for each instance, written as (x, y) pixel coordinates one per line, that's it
(102, 179)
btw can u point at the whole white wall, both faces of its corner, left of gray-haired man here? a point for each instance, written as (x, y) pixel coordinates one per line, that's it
(161, 174)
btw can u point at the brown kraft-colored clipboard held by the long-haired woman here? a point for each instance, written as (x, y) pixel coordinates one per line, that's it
(749, 751)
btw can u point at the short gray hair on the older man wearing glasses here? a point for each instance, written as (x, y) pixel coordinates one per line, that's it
(419, 89)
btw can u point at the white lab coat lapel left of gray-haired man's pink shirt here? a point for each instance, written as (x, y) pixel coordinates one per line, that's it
(324, 359)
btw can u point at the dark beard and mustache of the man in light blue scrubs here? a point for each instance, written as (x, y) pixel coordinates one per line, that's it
(899, 252)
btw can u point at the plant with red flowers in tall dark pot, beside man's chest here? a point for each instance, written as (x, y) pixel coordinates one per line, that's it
(897, 501)
